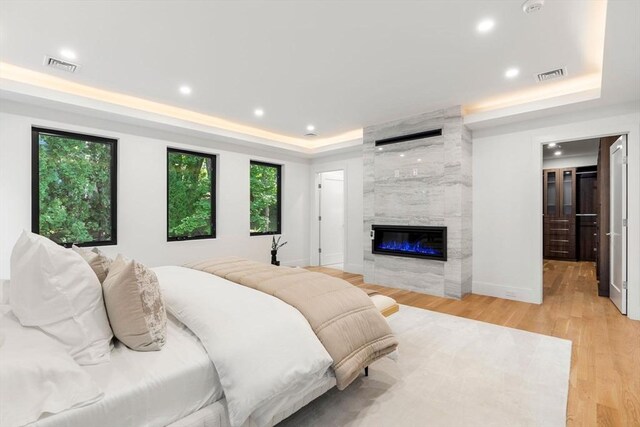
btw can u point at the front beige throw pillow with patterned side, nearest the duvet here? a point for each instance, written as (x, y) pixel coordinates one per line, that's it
(135, 306)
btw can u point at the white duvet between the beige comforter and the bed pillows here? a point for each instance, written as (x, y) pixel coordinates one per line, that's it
(262, 348)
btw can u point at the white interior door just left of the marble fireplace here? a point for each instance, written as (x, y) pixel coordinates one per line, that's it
(331, 215)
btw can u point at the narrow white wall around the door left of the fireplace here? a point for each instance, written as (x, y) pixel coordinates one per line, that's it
(351, 163)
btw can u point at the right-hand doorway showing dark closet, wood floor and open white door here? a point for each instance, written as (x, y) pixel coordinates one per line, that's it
(584, 218)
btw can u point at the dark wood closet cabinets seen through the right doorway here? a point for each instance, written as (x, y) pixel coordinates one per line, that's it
(569, 214)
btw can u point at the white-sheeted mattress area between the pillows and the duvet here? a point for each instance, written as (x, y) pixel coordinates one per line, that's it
(153, 388)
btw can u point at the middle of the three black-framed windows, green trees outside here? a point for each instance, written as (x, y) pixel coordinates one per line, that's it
(191, 195)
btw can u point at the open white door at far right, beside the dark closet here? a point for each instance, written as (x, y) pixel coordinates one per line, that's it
(618, 225)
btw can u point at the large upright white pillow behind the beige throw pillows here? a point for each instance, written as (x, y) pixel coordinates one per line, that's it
(55, 289)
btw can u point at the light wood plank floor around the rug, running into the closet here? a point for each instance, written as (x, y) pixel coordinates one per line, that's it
(604, 387)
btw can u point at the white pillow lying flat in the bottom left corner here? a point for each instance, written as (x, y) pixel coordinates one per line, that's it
(37, 375)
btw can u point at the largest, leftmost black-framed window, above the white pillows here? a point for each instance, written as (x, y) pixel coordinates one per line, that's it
(74, 187)
